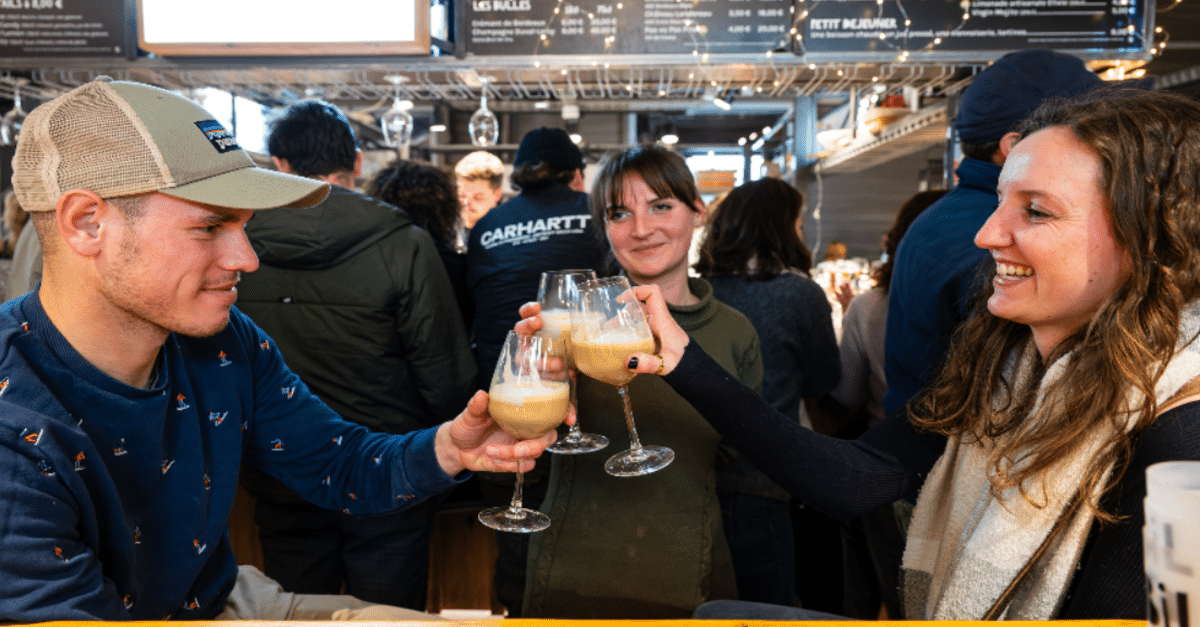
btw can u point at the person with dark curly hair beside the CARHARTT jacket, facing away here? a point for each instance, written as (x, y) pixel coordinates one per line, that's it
(430, 198)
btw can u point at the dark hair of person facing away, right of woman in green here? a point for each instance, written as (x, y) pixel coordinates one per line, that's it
(753, 232)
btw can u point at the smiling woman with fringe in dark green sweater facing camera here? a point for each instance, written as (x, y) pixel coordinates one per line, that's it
(649, 547)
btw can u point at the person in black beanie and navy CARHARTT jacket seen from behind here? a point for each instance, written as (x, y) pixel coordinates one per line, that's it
(545, 228)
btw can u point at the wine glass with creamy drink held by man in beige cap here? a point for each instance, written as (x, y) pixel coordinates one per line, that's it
(529, 398)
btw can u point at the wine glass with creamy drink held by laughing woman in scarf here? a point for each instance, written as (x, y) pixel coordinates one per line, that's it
(608, 325)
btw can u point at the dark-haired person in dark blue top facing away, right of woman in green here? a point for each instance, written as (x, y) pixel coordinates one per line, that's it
(754, 259)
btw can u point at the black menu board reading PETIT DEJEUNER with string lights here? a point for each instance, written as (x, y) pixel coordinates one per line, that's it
(940, 26)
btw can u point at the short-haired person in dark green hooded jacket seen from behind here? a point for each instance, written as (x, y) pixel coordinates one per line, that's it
(357, 298)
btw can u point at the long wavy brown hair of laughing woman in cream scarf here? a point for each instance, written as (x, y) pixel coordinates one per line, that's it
(1149, 145)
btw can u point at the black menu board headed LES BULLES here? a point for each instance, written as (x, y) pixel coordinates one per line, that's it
(625, 27)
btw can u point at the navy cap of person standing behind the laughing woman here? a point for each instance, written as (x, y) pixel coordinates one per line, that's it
(1009, 91)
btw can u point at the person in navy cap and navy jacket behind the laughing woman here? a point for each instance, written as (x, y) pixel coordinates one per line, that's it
(937, 266)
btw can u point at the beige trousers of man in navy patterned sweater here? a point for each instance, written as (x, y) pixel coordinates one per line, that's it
(259, 598)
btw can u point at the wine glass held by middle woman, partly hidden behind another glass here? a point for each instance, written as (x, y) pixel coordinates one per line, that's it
(557, 291)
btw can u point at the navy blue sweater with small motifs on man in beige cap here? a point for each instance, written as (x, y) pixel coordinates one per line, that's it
(115, 500)
